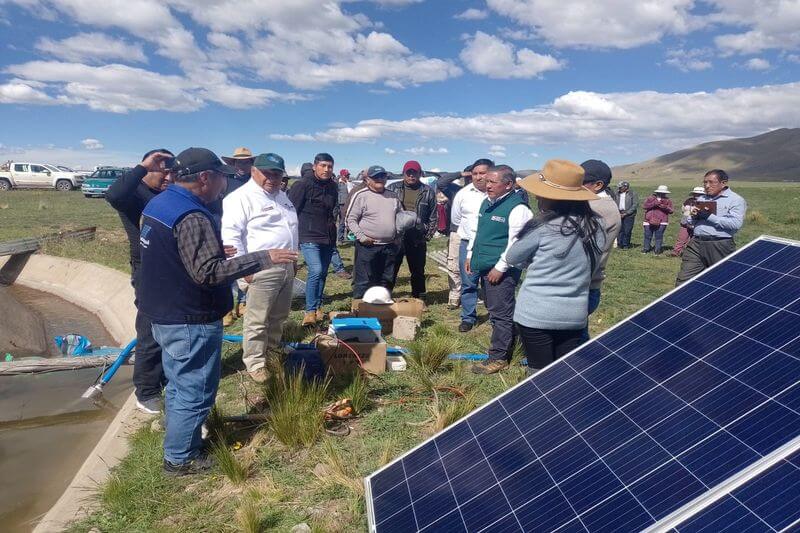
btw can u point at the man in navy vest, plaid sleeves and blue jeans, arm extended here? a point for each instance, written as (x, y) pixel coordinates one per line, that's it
(185, 291)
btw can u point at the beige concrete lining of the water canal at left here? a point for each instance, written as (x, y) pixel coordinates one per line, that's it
(108, 294)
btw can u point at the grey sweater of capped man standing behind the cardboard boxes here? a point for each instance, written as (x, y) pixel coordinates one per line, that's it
(372, 215)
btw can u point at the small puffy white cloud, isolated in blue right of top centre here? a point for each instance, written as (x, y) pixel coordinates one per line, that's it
(488, 55)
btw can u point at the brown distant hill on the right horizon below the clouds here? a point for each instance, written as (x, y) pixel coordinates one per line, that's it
(771, 156)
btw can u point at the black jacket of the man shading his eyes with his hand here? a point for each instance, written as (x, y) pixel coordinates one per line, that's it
(128, 196)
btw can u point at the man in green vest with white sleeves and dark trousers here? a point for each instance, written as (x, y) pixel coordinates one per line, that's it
(502, 216)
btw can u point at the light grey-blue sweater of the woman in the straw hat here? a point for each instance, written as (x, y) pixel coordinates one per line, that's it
(555, 291)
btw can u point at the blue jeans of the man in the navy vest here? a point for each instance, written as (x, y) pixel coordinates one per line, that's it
(191, 359)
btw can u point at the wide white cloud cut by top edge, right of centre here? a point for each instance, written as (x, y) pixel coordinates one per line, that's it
(617, 23)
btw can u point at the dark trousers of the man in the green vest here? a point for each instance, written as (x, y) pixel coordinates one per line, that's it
(500, 301)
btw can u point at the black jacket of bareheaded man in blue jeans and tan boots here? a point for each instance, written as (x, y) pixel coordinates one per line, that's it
(315, 201)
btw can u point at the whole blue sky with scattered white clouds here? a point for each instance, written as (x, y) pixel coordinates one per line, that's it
(91, 82)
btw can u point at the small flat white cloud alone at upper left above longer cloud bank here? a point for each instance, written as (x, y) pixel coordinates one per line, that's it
(92, 47)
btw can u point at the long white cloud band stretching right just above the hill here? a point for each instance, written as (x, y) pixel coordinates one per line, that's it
(599, 119)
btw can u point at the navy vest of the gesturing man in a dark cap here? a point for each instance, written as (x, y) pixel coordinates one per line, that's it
(167, 294)
